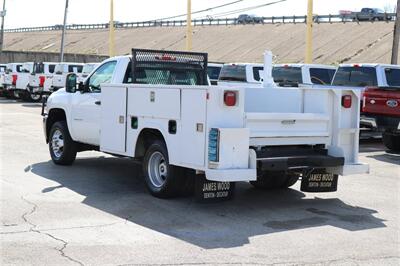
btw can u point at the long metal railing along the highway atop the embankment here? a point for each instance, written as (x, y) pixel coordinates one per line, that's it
(354, 17)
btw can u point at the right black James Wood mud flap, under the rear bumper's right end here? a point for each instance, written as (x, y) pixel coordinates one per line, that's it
(318, 181)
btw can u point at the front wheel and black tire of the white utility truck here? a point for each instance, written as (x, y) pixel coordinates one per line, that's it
(65, 154)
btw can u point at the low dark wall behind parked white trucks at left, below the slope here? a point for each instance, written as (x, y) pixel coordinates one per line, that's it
(19, 56)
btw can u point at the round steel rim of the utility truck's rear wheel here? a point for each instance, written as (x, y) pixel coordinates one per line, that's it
(157, 169)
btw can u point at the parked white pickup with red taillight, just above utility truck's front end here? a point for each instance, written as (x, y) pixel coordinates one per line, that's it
(41, 80)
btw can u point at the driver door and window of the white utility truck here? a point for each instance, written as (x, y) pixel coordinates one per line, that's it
(86, 106)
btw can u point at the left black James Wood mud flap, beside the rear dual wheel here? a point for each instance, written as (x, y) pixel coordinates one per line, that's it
(210, 191)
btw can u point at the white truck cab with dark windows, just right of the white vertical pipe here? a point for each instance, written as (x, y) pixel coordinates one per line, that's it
(289, 75)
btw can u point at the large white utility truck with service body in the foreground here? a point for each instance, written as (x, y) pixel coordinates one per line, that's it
(157, 107)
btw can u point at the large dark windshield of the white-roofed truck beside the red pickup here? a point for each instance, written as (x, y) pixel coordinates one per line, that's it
(355, 77)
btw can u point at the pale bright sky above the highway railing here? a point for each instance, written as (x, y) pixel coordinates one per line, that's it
(31, 13)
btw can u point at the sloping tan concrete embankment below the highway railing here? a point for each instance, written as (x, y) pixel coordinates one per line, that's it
(333, 43)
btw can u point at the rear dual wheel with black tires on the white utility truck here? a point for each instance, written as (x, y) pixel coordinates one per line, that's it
(171, 179)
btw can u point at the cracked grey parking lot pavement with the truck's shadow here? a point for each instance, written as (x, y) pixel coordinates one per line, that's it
(98, 212)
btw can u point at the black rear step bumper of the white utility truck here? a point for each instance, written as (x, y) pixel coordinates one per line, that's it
(283, 160)
